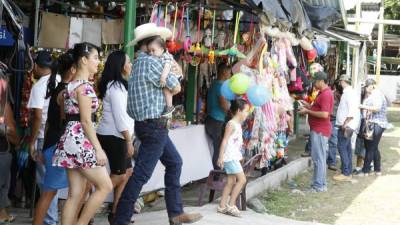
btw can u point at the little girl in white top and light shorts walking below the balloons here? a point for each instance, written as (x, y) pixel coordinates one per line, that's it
(230, 156)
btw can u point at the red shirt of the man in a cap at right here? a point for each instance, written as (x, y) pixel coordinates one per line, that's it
(323, 103)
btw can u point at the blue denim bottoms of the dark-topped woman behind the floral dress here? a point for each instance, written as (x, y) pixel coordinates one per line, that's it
(55, 177)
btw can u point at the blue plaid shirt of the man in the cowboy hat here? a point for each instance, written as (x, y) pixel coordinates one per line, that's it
(145, 96)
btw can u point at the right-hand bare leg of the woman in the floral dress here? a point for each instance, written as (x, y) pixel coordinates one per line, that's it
(100, 179)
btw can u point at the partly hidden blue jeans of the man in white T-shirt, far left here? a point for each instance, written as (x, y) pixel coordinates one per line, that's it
(52, 213)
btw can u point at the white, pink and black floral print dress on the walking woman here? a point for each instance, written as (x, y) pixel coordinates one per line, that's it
(74, 150)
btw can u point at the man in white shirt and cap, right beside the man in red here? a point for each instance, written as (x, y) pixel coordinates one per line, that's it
(347, 119)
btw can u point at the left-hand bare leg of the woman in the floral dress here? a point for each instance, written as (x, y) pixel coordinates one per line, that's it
(77, 184)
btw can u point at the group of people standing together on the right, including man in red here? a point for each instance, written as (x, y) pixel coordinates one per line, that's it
(343, 120)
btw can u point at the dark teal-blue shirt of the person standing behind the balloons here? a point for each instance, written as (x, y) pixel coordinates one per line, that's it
(214, 109)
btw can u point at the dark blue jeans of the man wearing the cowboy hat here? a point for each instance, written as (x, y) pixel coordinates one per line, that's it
(155, 145)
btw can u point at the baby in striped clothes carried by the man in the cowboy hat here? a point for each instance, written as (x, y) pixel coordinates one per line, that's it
(170, 66)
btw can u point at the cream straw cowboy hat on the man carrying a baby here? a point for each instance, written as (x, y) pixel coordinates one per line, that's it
(149, 30)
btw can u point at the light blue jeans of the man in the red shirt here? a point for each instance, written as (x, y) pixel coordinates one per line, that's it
(319, 149)
